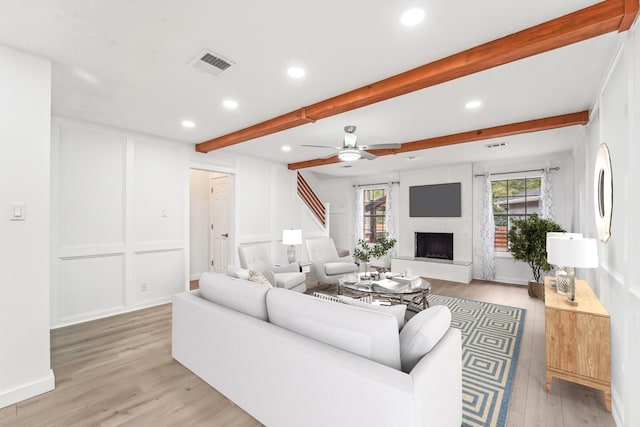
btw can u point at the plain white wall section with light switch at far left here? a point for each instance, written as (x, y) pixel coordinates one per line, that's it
(25, 109)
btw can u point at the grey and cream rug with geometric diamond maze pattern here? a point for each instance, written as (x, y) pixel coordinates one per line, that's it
(490, 345)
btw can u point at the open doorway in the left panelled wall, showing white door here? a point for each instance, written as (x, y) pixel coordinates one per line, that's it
(211, 222)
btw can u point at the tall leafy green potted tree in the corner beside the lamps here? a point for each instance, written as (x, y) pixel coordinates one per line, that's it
(528, 242)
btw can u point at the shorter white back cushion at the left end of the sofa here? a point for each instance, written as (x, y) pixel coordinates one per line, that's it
(237, 294)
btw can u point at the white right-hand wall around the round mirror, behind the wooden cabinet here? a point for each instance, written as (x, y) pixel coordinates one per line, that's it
(617, 280)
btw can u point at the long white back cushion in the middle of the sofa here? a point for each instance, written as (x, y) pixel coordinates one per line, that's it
(367, 333)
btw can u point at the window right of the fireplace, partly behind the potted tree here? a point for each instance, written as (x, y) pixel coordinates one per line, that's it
(512, 199)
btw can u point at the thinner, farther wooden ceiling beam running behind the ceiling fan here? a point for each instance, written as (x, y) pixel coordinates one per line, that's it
(537, 125)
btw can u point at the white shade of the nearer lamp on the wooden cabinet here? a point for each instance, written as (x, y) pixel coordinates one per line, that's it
(581, 253)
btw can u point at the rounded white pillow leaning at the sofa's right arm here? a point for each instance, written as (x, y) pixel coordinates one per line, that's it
(421, 333)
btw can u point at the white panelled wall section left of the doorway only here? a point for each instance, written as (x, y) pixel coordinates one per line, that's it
(118, 220)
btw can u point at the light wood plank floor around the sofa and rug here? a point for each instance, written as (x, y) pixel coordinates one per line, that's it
(119, 371)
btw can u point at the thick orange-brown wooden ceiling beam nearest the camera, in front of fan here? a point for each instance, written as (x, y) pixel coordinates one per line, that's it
(593, 21)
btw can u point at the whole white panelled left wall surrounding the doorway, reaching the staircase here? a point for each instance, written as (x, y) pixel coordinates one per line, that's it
(122, 209)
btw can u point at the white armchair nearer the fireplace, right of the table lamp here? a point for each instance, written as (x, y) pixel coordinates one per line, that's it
(327, 266)
